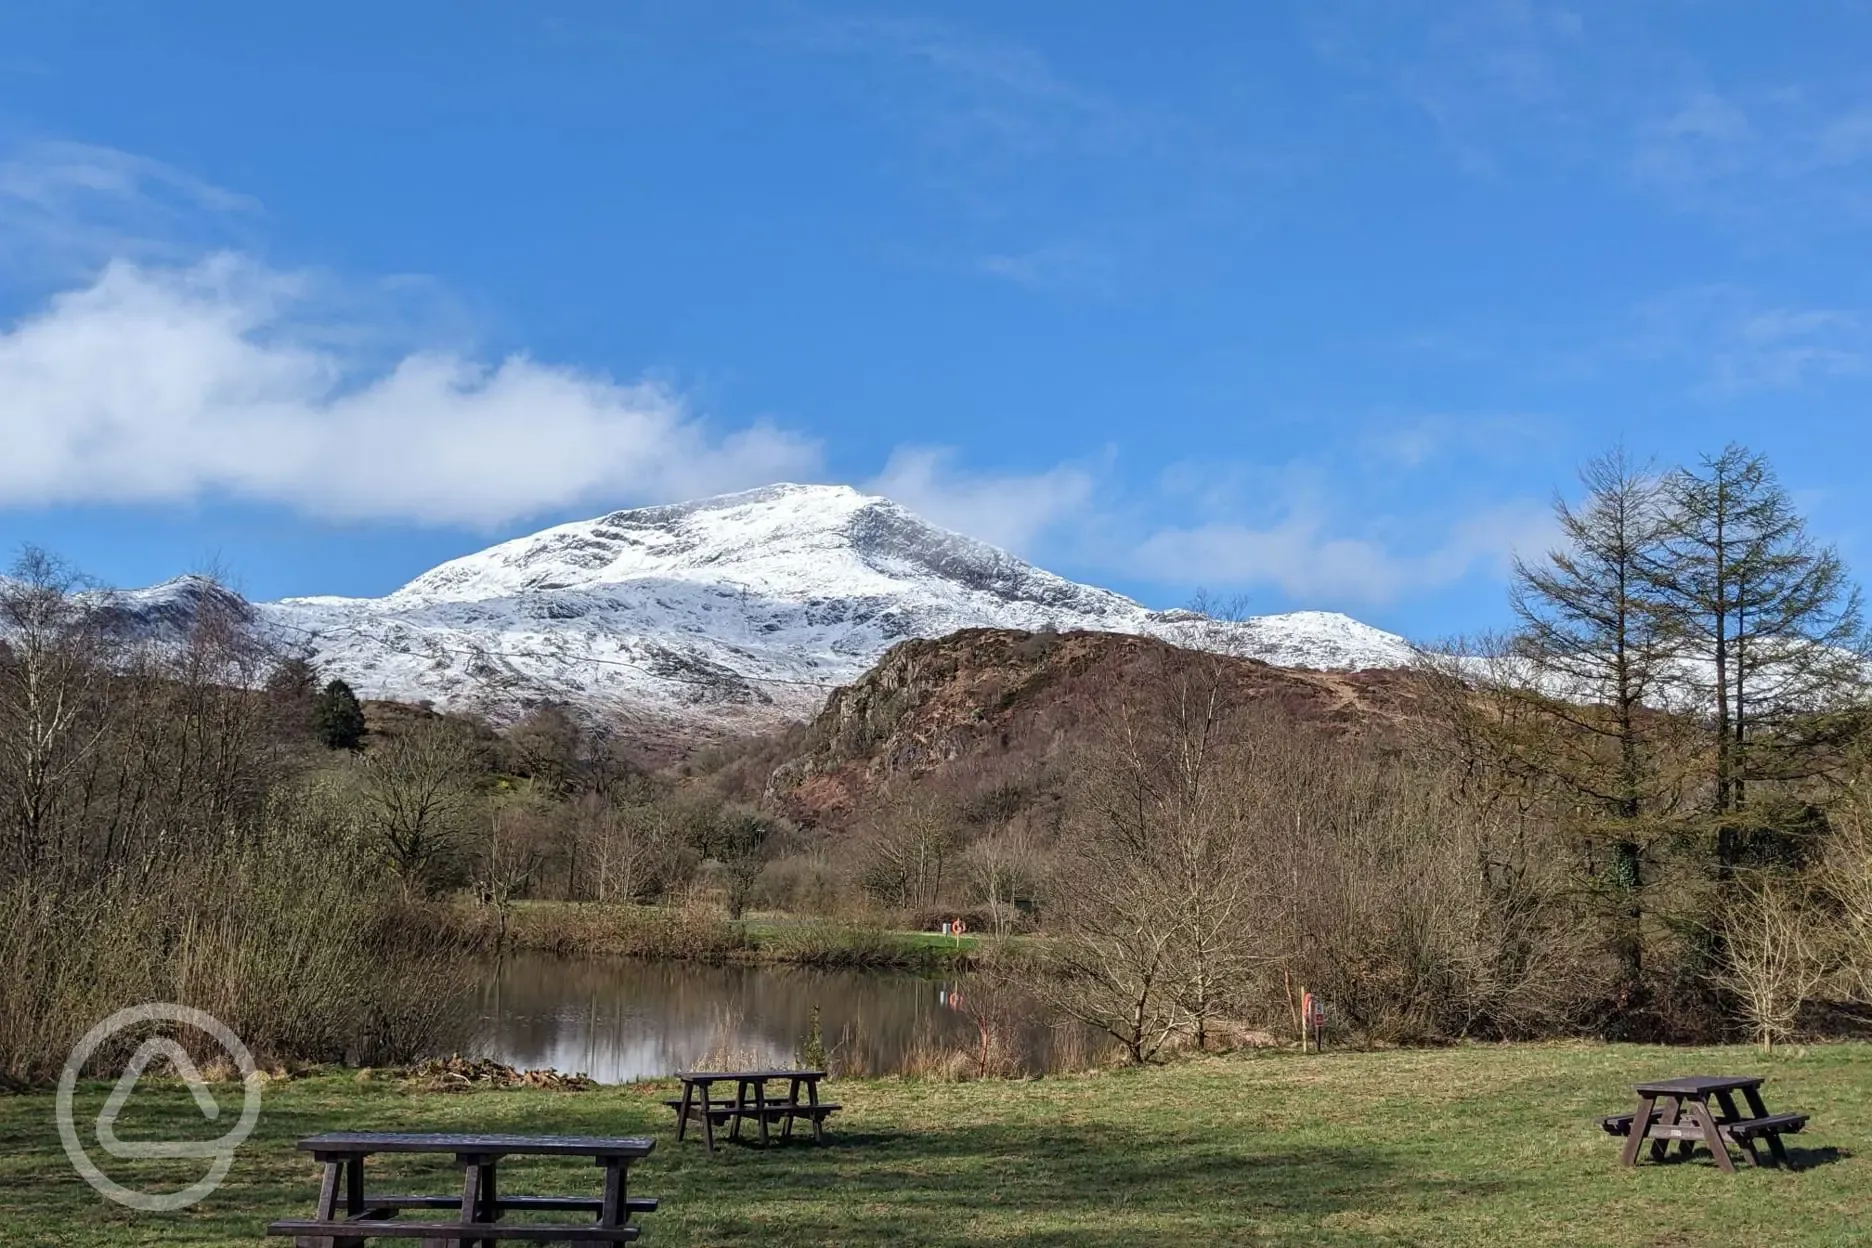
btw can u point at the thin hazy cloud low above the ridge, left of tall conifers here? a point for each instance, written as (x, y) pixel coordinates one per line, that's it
(1309, 560)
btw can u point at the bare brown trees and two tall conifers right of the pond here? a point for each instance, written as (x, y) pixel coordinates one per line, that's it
(1637, 815)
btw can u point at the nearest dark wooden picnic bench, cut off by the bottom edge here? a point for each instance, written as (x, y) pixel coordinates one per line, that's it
(347, 1215)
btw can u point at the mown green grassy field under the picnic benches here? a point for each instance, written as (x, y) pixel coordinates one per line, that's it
(1470, 1146)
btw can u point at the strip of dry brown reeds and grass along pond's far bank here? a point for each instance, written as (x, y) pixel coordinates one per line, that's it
(701, 935)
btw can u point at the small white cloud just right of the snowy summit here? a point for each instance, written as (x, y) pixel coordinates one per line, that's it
(1006, 510)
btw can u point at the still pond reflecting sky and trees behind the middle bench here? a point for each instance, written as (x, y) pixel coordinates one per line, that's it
(621, 1021)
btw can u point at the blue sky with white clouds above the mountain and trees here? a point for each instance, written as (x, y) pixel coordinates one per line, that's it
(1315, 304)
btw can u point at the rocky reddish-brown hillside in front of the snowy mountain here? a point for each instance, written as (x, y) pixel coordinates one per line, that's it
(987, 716)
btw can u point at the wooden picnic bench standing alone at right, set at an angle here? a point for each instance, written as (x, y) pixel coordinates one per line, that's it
(1678, 1112)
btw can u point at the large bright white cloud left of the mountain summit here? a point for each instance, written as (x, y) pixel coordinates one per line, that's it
(173, 385)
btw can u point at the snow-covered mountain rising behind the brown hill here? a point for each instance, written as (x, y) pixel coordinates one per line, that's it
(735, 611)
